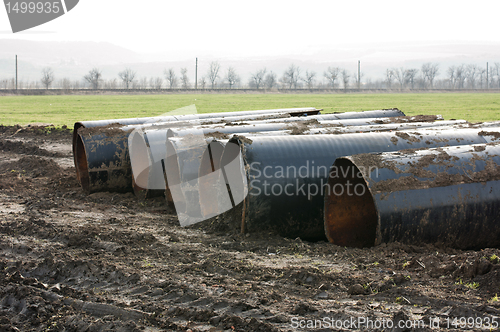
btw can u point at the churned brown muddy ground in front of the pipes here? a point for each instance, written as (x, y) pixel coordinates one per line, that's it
(109, 262)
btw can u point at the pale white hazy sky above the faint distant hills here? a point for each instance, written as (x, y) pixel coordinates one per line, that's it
(264, 27)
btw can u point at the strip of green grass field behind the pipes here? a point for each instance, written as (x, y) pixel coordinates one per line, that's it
(65, 110)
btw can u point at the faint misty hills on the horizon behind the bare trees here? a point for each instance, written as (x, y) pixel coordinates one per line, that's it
(74, 59)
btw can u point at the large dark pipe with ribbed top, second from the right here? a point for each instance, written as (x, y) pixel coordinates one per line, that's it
(285, 175)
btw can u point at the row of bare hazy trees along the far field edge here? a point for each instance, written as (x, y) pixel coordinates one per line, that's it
(428, 76)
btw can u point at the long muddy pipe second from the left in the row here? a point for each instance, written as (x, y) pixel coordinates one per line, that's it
(151, 142)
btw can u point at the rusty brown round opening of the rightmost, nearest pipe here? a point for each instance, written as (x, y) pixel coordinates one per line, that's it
(351, 218)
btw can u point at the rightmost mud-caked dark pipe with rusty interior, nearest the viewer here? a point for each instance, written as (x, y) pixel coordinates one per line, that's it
(448, 196)
